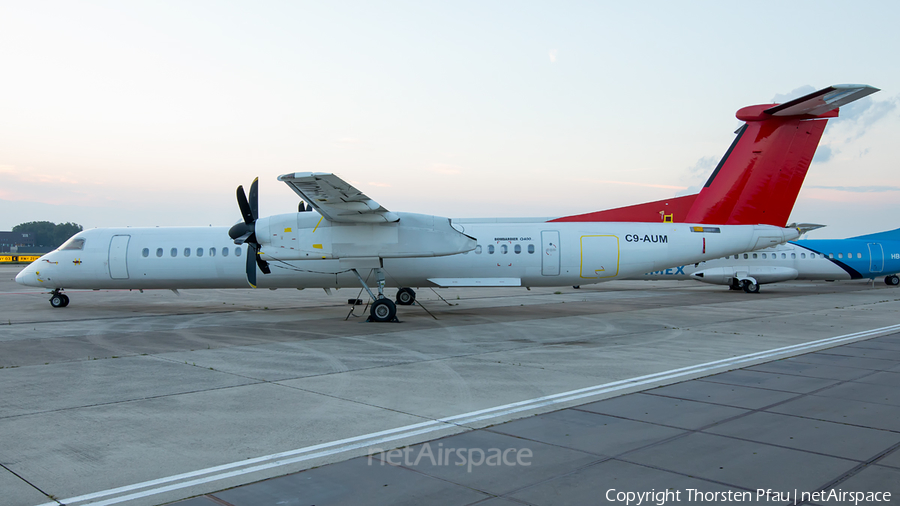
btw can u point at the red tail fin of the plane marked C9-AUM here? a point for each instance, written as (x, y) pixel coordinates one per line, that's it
(759, 178)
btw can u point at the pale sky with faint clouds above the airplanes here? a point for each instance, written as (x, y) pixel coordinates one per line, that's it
(151, 113)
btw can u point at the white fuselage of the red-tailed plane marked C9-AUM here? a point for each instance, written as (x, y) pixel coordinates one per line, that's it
(507, 252)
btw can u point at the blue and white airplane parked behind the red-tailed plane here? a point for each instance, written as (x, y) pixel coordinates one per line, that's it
(866, 256)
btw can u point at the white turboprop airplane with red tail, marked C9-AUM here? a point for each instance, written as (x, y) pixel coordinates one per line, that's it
(743, 206)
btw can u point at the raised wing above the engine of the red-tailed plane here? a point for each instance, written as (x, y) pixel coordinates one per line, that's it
(335, 199)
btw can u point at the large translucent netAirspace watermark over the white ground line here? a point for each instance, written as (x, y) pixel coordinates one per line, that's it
(467, 457)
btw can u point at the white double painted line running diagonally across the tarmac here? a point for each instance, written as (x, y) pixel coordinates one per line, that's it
(367, 440)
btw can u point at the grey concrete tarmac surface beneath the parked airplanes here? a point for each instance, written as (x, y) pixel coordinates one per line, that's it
(271, 397)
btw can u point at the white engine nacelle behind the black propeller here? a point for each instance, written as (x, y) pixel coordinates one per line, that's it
(308, 236)
